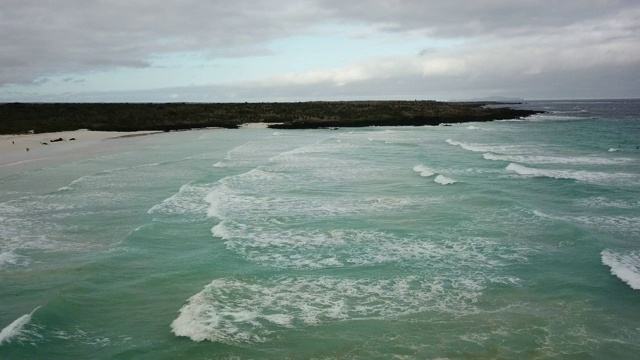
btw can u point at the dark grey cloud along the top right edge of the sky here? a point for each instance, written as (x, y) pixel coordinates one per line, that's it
(456, 18)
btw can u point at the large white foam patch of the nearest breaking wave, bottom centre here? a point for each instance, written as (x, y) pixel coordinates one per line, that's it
(236, 311)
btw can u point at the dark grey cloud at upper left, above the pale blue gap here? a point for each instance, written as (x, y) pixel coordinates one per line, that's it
(44, 38)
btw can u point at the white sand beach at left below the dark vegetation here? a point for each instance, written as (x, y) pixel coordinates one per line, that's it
(13, 148)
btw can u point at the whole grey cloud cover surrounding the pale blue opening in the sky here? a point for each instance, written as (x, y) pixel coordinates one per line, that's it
(550, 44)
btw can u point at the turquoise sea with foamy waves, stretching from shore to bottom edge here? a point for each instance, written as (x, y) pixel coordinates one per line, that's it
(509, 239)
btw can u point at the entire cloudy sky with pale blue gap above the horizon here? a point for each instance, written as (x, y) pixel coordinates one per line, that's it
(300, 50)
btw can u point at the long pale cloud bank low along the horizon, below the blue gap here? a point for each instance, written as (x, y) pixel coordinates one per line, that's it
(571, 84)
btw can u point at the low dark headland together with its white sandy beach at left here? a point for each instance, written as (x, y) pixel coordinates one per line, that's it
(37, 132)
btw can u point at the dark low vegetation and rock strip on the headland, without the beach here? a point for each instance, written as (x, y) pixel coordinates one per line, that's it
(18, 118)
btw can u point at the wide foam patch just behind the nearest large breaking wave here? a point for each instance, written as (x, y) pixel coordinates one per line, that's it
(280, 246)
